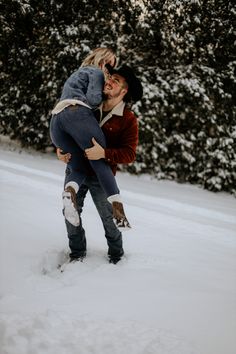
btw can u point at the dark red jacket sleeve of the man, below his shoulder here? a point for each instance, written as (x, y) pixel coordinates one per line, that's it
(128, 141)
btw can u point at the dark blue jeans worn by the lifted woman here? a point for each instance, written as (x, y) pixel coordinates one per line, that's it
(72, 130)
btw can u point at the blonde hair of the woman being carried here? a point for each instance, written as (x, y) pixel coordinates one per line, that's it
(98, 56)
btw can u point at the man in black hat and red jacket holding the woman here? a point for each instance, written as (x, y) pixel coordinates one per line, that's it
(120, 128)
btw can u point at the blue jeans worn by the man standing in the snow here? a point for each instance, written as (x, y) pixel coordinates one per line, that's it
(76, 235)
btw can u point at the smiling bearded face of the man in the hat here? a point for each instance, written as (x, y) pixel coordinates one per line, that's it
(115, 86)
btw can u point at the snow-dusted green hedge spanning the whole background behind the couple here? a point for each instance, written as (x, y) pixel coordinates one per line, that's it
(182, 50)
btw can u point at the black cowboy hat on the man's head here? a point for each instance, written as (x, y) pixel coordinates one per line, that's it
(135, 89)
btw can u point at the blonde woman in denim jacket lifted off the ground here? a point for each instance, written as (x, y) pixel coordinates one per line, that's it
(73, 126)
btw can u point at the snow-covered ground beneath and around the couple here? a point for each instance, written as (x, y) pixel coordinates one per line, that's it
(174, 292)
